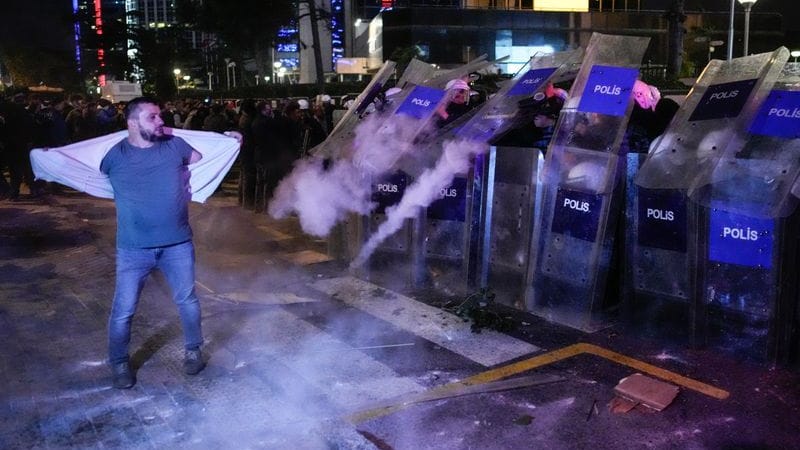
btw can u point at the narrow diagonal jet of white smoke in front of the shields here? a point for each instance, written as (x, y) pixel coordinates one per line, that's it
(455, 158)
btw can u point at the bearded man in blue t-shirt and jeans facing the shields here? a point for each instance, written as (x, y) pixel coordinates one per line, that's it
(149, 174)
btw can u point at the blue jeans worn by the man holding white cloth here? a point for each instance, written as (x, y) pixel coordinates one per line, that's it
(176, 262)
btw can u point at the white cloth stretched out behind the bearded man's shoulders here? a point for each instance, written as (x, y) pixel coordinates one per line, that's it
(78, 165)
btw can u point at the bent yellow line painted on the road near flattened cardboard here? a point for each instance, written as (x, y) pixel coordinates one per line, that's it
(536, 362)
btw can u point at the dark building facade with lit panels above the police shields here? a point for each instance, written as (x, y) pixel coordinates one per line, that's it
(452, 32)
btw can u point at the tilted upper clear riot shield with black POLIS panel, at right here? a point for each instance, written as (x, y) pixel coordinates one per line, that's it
(711, 125)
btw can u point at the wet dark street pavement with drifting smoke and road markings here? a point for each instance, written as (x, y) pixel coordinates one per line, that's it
(304, 354)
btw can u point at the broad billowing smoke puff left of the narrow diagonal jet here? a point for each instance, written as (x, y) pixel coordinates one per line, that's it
(322, 196)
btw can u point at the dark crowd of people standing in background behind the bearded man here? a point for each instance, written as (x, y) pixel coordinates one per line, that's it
(276, 131)
